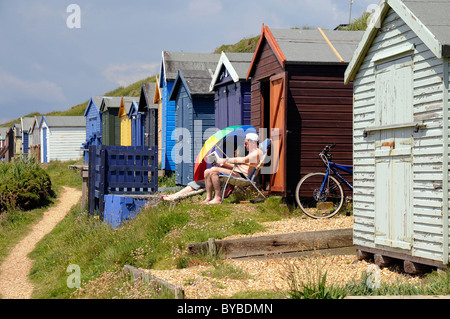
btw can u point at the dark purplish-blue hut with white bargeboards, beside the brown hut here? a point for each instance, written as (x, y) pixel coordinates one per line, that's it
(232, 99)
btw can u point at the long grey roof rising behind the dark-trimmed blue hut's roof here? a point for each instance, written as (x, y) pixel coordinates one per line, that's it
(174, 61)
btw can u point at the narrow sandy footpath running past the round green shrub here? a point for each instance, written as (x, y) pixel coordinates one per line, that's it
(14, 283)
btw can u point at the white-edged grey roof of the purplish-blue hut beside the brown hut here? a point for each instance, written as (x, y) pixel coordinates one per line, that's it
(237, 65)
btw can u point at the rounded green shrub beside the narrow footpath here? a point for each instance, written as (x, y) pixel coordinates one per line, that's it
(23, 185)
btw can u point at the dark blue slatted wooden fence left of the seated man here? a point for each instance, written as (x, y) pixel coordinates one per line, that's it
(130, 170)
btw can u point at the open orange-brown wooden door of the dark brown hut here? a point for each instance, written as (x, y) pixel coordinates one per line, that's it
(278, 132)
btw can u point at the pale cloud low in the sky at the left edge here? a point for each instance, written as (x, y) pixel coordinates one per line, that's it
(13, 88)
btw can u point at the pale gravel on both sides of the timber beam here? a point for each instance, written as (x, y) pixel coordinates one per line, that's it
(270, 274)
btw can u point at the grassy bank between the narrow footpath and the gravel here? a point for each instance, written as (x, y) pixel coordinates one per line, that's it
(159, 240)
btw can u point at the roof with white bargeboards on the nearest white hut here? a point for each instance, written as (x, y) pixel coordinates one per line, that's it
(428, 19)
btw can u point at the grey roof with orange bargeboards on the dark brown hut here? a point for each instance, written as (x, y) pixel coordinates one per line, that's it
(295, 46)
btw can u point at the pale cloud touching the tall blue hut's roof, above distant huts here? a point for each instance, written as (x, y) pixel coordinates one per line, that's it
(126, 74)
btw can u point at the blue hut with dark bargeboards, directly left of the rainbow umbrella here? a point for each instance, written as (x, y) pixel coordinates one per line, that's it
(194, 116)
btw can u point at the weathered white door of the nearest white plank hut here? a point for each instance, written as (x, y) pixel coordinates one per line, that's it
(393, 153)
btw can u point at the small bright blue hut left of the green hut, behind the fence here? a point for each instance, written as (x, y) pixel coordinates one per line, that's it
(93, 125)
